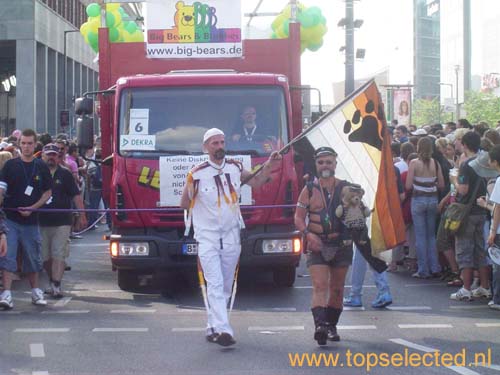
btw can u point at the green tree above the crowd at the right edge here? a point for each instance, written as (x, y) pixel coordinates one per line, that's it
(481, 106)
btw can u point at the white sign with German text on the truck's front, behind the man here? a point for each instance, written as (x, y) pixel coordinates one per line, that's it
(174, 170)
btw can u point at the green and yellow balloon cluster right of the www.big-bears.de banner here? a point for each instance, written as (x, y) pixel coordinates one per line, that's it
(312, 26)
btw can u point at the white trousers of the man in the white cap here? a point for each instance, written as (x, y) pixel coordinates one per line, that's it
(218, 266)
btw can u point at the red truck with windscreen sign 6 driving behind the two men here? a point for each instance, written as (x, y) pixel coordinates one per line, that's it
(153, 113)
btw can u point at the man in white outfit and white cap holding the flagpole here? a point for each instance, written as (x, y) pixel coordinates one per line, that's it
(212, 195)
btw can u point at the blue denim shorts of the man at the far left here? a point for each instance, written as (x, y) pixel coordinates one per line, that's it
(31, 243)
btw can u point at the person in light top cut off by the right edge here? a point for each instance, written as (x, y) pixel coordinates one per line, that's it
(494, 234)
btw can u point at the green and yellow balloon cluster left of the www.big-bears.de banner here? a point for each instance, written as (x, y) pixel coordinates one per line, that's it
(120, 30)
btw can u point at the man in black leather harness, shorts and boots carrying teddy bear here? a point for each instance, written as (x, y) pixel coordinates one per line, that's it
(328, 256)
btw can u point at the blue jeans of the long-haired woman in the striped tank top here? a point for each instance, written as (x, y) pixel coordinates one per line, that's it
(424, 211)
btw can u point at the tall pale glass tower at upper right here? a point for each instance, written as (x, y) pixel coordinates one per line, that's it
(426, 46)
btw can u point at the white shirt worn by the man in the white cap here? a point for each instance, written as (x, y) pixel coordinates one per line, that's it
(216, 211)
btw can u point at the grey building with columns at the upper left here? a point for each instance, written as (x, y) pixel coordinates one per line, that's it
(32, 38)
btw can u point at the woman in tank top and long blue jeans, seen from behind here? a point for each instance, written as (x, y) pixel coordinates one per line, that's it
(425, 178)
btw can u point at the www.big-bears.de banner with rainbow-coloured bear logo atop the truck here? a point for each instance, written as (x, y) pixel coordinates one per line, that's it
(193, 29)
